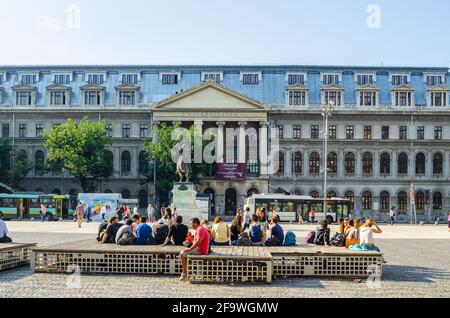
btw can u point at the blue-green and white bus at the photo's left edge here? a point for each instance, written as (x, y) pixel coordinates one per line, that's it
(28, 206)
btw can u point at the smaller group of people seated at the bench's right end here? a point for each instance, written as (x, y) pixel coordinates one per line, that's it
(352, 234)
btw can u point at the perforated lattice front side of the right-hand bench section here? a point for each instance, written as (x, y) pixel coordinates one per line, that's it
(327, 266)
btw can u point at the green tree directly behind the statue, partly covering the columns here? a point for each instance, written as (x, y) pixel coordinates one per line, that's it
(160, 152)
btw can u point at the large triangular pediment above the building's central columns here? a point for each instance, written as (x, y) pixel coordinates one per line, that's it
(209, 96)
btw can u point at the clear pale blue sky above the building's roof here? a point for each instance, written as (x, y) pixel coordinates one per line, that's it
(413, 32)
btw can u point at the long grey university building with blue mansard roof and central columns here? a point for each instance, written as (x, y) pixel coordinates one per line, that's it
(388, 129)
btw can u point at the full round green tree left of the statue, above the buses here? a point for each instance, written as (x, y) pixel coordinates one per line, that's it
(81, 149)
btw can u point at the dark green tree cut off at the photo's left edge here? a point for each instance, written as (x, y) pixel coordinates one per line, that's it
(14, 166)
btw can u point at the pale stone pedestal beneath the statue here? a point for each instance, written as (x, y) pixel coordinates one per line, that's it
(184, 199)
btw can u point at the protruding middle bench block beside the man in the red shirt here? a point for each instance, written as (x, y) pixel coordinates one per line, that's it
(231, 264)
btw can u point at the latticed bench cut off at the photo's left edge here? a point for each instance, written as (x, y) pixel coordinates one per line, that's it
(14, 255)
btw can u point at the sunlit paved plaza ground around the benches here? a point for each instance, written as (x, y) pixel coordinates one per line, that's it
(418, 265)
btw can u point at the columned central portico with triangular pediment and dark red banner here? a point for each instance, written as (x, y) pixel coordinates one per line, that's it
(240, 124)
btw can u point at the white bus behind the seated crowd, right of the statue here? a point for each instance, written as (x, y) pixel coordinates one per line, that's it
(289, 207)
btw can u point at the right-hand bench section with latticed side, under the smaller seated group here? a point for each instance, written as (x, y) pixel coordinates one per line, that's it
(317, 261)
